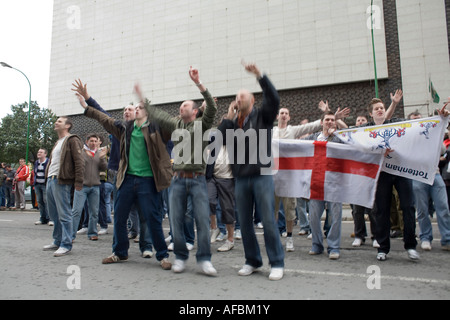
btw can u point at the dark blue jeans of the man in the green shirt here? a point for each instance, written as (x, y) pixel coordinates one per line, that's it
(142, 191)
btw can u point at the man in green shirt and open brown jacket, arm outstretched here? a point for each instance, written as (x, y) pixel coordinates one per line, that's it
(144, 171)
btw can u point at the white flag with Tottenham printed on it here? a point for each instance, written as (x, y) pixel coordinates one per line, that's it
(416, 144)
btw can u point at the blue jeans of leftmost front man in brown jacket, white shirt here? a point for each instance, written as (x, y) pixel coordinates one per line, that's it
(60, 212)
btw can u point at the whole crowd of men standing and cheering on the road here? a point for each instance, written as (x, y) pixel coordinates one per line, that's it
(144, 171)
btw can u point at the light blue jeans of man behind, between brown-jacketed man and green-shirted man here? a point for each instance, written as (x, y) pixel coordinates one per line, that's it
(92, 194)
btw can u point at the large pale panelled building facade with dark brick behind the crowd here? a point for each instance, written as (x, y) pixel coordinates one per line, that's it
(311, 50)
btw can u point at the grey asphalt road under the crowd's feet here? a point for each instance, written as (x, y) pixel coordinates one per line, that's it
(28, 272)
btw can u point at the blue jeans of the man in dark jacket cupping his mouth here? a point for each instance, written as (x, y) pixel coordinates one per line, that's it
(258, 190)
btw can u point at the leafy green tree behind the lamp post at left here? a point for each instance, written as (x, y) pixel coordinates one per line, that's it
(13, 132)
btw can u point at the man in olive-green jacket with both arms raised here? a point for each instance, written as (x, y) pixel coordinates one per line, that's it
(189, 174)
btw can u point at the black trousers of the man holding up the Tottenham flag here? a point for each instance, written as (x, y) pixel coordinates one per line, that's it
(383, 201)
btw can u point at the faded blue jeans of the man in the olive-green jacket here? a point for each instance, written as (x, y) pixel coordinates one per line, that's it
(180, 190)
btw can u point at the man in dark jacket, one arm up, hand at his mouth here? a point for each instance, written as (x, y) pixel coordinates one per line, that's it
(248, 156)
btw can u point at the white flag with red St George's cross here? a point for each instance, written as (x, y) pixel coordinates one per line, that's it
(325, 171)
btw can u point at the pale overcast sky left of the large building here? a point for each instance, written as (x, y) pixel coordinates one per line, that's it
(26, 29)
